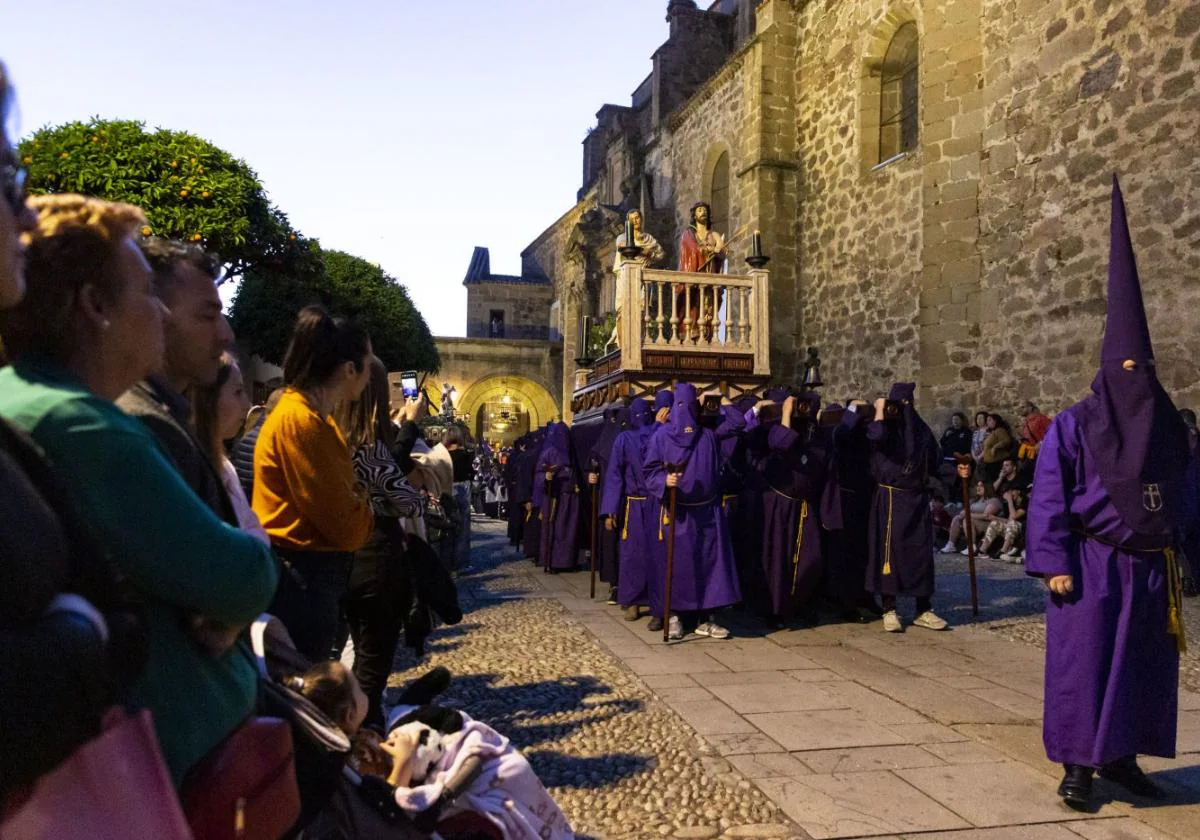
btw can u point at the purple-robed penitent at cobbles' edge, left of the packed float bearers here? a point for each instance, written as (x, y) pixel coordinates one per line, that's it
(560, 501)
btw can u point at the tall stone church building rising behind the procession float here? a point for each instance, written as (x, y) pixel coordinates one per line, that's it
(931, 177)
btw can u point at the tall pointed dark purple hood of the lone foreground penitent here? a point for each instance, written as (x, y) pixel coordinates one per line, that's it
(1133, 431)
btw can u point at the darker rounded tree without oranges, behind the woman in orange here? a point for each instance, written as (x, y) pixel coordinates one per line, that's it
(268, 302)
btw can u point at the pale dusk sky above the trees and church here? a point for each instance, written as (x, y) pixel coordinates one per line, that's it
(403, 133)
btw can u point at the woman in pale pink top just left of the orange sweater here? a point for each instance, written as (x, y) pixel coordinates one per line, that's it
(219, 412)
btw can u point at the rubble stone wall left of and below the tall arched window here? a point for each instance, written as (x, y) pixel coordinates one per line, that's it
(861, 231)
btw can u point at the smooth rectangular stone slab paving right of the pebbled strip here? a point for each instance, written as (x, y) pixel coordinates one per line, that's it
(923, 735)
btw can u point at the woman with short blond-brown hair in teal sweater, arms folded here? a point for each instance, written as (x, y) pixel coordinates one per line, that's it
(91, 327)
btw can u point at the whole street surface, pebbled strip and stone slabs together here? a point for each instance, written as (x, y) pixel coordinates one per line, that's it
(838, 731)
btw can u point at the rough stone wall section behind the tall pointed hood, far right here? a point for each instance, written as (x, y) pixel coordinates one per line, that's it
(1079, 91)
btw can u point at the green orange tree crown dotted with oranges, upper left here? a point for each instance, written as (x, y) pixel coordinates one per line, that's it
(189, 189)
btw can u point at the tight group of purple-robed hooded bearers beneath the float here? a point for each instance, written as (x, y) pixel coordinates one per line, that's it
(781, 505)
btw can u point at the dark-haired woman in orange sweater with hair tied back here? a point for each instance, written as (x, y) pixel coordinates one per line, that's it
(305, 493)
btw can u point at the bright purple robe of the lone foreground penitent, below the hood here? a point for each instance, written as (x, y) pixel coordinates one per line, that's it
(1113, 670)
